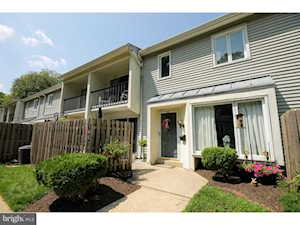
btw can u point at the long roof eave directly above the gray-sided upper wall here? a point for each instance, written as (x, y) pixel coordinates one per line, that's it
(200, 30)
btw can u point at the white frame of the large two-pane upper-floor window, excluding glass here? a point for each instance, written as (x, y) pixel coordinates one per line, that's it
(226, 33)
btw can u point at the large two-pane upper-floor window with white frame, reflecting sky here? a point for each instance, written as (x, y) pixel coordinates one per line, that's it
(231, 46)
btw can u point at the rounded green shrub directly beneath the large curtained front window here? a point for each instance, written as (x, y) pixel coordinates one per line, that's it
(218, 158)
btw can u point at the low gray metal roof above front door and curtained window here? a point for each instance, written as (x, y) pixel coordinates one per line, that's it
(217, 89)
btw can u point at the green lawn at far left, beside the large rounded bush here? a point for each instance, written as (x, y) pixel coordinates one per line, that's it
(18, 186)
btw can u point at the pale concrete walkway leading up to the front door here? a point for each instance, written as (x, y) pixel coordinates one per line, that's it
(162, 190)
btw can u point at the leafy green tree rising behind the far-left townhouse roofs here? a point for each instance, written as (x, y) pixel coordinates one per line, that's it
(33, 82)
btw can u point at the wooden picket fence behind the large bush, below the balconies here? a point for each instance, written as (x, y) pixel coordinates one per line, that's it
(54, 138)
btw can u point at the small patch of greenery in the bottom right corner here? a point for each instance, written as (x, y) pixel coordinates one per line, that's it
(291, 202)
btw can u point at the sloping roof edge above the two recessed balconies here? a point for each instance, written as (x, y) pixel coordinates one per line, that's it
(100, 60)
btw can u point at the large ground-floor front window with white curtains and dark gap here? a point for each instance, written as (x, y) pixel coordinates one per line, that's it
(253, 138)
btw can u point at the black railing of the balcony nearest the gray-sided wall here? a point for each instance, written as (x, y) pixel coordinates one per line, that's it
(114, 95)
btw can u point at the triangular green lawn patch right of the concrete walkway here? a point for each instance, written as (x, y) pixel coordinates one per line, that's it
(213, 199)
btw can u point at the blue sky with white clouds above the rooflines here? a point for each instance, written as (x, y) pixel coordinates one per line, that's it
(64, 41)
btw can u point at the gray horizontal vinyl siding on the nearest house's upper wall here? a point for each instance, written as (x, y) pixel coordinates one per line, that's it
(274, 48)
